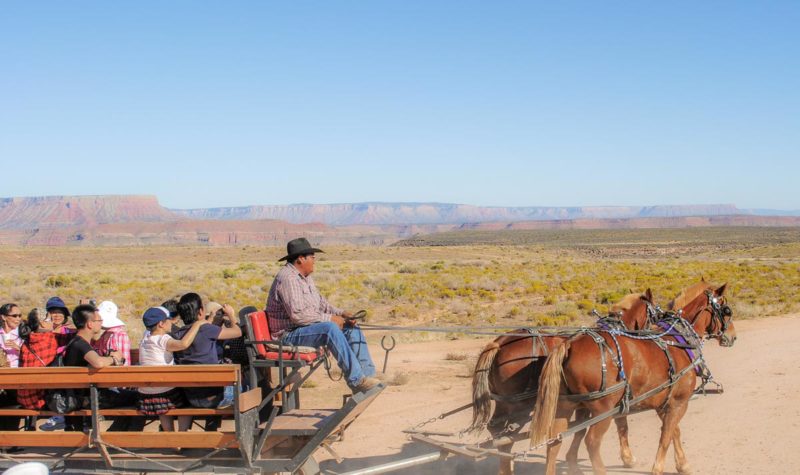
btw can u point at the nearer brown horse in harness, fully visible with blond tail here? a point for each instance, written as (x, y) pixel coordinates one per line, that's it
(573, 371)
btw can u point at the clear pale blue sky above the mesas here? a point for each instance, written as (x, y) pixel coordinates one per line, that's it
(490, 103)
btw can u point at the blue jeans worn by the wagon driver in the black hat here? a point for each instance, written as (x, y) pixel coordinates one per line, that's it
(348, 346)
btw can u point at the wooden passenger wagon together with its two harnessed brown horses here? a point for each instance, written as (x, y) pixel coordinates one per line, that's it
(271, 433)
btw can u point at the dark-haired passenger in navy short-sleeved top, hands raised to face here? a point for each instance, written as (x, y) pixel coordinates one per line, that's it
(204, 350)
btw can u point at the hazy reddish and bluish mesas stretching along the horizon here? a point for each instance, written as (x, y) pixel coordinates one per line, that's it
(141, 220)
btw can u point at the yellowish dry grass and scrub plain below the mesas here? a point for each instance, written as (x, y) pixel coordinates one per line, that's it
(555, 283)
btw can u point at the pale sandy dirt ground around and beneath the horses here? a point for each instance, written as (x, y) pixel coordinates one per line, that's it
(754, 427)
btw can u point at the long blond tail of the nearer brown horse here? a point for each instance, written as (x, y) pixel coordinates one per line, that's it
(544, 412)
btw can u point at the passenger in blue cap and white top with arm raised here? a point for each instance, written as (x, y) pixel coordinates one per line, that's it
(156, 349)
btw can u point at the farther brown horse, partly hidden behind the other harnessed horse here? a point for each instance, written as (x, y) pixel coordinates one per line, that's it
(508, 372)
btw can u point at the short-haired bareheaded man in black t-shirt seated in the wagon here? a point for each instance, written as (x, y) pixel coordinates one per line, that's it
(79, 352)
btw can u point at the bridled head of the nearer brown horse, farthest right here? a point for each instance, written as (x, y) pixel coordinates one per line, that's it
(707, 310)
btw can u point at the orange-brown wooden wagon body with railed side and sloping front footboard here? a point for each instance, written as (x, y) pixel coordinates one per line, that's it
(283, 442)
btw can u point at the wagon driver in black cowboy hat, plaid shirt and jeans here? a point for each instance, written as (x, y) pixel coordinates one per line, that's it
(299, 315)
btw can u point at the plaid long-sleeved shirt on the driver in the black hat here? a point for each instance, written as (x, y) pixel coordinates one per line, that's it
(294, 301)
